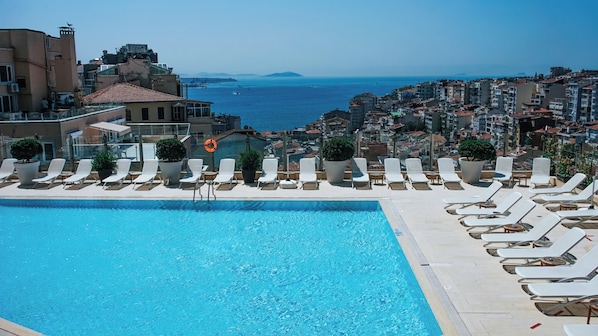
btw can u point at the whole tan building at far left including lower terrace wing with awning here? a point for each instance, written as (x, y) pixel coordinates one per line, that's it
(40, 95)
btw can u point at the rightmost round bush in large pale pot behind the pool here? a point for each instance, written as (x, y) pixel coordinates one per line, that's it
(473, 154)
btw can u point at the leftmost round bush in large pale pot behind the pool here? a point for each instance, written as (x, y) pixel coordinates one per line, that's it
(24, 151)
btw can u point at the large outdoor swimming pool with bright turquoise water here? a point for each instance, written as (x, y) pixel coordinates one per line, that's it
(89, 267)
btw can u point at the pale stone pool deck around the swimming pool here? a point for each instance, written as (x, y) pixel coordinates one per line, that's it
(467, 288)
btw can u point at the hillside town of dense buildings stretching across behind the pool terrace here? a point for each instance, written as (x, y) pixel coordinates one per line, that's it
(122, 97)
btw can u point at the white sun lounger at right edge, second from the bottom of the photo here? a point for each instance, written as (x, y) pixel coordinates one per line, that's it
(567, 292)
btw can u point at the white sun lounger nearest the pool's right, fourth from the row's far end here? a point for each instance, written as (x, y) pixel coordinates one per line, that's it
(519, 238)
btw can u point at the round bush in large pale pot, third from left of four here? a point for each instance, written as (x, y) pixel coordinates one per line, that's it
(336, 153)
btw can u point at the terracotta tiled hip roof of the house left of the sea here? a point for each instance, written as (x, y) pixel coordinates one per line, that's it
(128, 93)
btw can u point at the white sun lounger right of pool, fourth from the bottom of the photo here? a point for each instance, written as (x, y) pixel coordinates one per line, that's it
(558, 249)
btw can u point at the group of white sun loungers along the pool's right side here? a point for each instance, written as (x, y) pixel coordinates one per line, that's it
(526, 250)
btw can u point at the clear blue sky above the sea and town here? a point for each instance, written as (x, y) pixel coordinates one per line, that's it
(330, 37)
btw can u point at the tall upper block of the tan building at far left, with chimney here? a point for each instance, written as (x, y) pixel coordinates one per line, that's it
(34, 66)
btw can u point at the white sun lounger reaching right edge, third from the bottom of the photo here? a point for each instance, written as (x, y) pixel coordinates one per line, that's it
(584, 268)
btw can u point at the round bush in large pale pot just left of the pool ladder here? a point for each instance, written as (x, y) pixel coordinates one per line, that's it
(171, 153)
